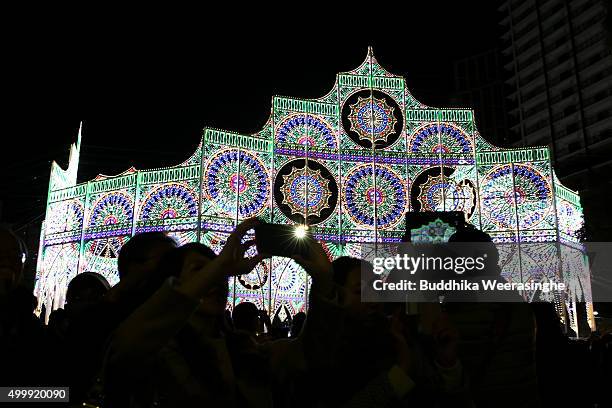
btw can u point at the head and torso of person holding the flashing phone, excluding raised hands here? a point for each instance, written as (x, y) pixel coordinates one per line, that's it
(172, 351)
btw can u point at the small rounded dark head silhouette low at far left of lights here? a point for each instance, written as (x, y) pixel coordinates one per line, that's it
(85, 289)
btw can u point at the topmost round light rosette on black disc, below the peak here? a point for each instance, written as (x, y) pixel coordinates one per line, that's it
(372, 118)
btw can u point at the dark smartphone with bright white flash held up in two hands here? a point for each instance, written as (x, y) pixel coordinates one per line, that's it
(282, 240)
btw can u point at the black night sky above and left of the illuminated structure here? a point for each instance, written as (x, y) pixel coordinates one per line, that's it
(145, 88)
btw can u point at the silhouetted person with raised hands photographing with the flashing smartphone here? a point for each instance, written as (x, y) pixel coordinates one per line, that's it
(174, 351)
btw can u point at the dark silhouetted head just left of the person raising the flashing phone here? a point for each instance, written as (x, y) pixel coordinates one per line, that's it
(140, 256)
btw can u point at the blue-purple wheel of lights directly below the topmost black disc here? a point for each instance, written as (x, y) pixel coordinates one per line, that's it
(362, 190)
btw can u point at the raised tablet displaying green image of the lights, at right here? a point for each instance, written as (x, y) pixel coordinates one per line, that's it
(433, 227)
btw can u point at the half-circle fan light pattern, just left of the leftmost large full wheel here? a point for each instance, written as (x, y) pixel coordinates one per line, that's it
(169, 201)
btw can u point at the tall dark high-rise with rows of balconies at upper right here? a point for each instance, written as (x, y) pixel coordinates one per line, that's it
(559, 68)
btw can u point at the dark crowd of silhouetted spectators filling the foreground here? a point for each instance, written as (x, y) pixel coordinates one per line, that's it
(162, 337)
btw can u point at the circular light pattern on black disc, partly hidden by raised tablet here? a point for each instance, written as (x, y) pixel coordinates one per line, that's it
(440, 193)
